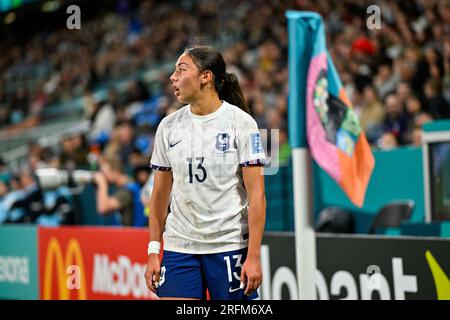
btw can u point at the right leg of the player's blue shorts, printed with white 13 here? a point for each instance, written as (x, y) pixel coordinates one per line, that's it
(223, 274)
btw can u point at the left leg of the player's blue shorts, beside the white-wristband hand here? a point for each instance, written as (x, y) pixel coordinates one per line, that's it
(181, 277)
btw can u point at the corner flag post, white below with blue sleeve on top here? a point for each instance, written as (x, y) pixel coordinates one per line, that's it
(299, 54)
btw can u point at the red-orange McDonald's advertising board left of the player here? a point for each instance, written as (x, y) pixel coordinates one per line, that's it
(93, 263)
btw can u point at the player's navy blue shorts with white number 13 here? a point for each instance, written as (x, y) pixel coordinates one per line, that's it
(186, 275)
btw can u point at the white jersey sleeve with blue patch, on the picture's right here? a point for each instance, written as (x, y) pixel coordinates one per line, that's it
(250, 147)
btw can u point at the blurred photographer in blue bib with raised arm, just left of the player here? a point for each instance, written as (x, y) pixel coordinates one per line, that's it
(125, 199)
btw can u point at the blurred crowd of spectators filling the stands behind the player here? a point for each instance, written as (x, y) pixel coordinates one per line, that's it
(112, 76)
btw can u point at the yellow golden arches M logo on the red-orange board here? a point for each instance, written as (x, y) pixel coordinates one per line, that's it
(54, 257)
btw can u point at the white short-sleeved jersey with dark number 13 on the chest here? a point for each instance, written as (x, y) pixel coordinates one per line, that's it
(208, 200)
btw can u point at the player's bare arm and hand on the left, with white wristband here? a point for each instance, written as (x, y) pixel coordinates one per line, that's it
(157, 220)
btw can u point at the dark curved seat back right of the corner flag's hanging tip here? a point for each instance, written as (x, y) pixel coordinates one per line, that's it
(392, 215)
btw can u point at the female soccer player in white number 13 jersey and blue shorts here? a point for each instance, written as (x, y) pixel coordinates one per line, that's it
(208, 159)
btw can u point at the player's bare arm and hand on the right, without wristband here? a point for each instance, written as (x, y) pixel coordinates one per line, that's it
(251, 274)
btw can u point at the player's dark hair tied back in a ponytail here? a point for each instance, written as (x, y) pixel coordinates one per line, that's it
(226, 84)
